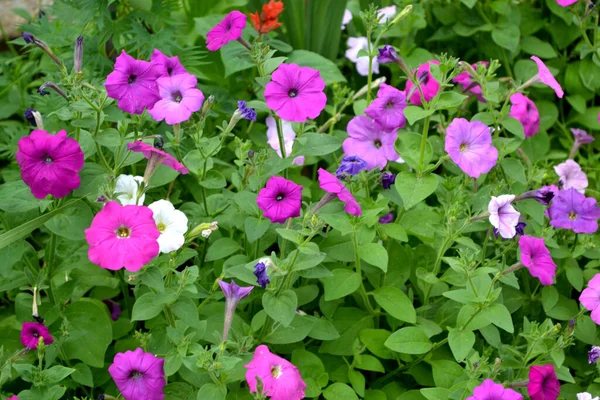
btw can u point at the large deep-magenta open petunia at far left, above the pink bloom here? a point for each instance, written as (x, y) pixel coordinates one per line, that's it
(50, 164)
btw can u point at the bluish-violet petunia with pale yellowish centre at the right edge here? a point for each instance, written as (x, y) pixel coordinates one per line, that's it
(572, 210)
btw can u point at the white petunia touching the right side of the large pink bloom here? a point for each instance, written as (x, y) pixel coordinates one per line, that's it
(171, 223)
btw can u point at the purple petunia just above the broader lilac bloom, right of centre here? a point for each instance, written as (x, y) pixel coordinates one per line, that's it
(387, 110)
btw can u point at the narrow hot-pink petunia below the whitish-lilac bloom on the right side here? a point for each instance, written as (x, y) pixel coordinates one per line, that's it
(536, 257)
